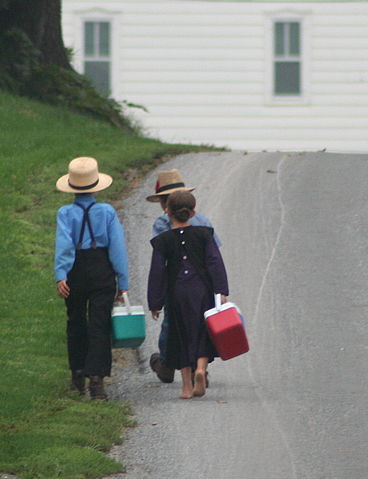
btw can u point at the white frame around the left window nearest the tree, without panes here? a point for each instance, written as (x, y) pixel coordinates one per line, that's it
(98, 15)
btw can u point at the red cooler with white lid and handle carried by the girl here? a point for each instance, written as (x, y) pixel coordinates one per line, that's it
(226, 329)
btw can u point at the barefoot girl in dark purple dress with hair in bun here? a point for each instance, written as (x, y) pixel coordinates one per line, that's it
(187, 269)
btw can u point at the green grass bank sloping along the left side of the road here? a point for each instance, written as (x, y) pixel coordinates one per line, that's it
(47, 432)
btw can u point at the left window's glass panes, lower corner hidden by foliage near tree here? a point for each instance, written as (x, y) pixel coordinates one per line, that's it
(97, 55)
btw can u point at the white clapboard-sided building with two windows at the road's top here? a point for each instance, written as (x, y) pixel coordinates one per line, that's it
(249, 75)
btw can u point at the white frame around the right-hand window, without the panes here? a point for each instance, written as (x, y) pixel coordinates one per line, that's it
(303, 98)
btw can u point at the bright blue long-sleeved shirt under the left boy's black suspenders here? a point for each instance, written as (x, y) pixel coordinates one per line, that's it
(107, 230)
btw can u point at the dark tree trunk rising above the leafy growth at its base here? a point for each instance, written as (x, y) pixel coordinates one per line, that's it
(41, 21)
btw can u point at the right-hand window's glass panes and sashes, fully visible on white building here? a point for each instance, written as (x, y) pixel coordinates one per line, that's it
(287, 61)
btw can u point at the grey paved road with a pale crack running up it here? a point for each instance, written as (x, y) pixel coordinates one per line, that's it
(295, 240)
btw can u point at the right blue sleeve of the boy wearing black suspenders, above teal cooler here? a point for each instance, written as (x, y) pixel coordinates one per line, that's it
(117, 251)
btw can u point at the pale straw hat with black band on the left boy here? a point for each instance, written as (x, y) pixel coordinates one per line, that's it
(83, 177)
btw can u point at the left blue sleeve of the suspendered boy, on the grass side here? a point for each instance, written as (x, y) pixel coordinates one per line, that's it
(64, 247)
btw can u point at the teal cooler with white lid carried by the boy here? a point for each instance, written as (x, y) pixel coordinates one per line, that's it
(128, 325)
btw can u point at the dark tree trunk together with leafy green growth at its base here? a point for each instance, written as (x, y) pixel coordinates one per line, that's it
(35, 63)
